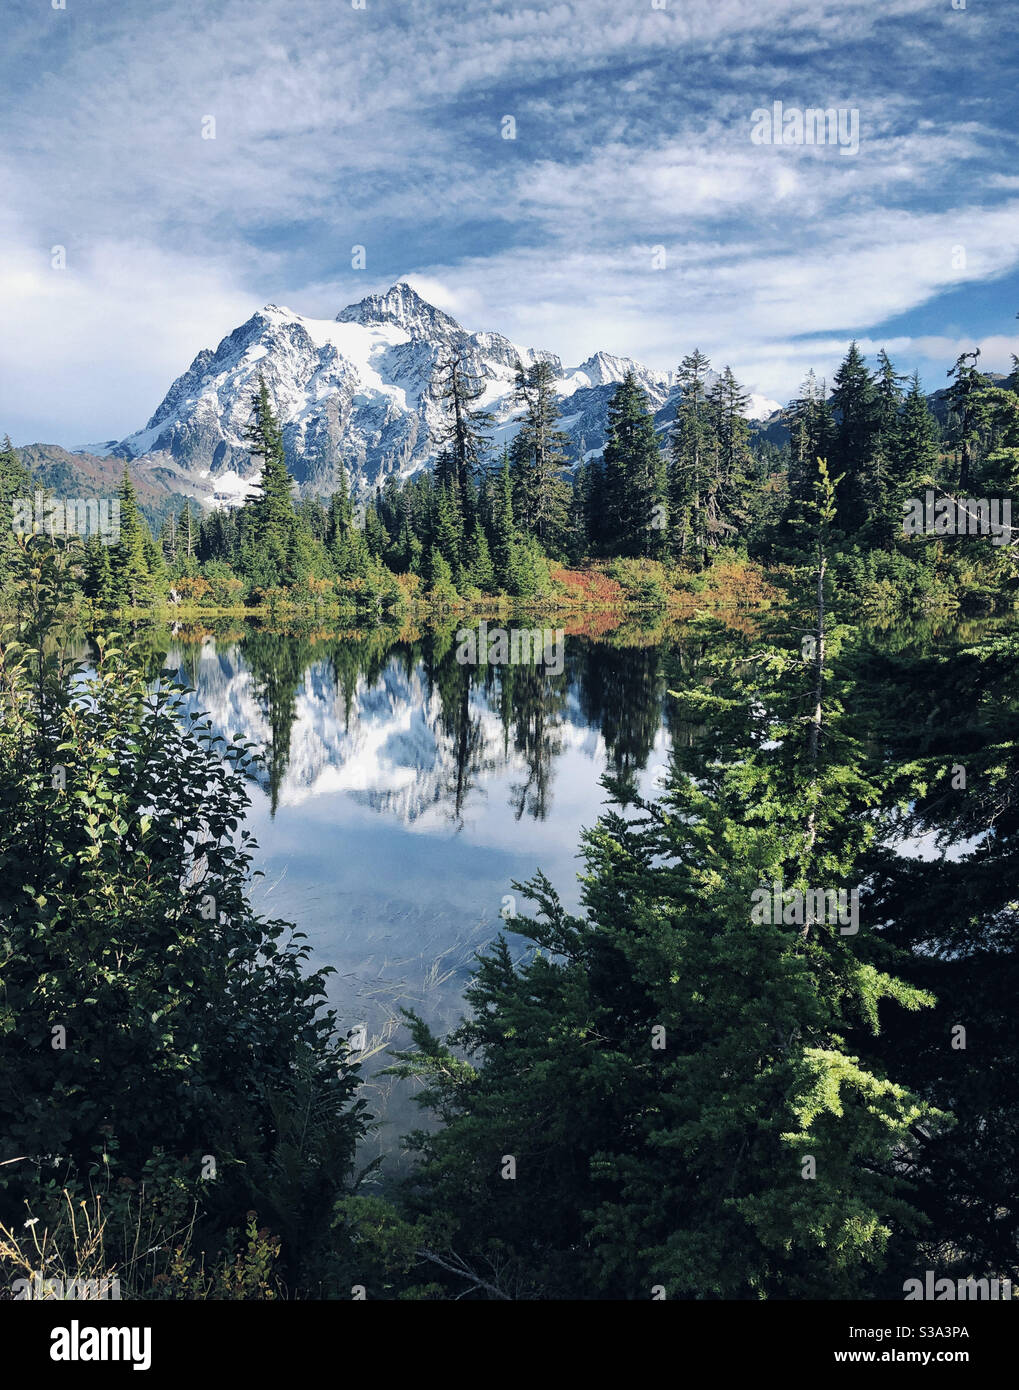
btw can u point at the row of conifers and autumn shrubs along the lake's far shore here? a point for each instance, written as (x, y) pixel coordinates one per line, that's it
(655, 508)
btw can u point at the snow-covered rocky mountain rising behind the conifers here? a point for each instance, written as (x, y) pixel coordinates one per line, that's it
(365, 387)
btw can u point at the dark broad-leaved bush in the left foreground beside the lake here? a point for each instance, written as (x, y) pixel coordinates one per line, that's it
(144, 1006)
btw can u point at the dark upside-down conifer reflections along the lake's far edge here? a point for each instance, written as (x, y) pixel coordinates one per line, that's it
(615, 690)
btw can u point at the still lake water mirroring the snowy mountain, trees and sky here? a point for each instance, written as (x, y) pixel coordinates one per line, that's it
(401, 794)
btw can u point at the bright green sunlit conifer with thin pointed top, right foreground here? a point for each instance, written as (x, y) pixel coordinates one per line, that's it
(671, 1071)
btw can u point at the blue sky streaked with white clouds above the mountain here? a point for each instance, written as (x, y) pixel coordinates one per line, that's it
(383, 127)
